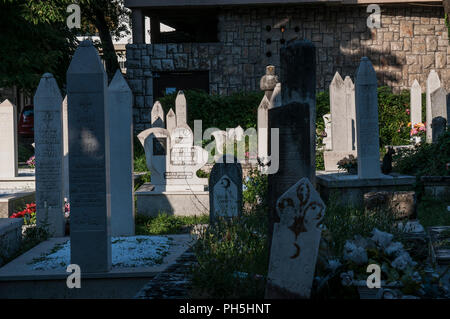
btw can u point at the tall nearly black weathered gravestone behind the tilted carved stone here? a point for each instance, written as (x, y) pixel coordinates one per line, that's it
(295, 120)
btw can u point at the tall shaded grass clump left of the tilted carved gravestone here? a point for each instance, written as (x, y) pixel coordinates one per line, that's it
(232, 258)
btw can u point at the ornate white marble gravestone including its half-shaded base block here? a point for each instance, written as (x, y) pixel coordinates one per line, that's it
(173, 161)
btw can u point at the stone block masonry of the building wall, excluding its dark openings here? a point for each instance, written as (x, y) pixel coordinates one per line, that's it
(412, 40)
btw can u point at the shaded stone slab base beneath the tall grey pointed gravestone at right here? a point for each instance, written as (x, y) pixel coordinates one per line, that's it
(349, 189)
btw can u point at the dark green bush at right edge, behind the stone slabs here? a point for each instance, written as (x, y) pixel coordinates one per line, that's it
(425, 159)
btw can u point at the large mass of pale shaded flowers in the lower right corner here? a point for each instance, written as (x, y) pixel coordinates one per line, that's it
(401, 276)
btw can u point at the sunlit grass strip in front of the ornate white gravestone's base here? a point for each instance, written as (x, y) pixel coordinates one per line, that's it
(167, 224)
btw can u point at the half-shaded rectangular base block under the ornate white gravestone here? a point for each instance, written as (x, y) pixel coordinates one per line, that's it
(179, 203)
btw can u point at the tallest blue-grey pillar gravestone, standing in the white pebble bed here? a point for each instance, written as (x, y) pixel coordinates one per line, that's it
(90, 241)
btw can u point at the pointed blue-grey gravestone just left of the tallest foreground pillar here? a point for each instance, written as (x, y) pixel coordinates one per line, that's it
(48, 137)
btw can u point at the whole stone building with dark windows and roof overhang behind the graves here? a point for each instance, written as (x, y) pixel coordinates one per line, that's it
(239, 41)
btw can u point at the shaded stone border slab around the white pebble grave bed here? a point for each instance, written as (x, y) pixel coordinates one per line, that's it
(19, 281)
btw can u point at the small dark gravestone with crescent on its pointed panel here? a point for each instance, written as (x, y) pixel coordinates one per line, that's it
(225, 189)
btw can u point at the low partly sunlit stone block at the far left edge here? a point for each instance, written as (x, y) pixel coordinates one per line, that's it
(11, 201)
